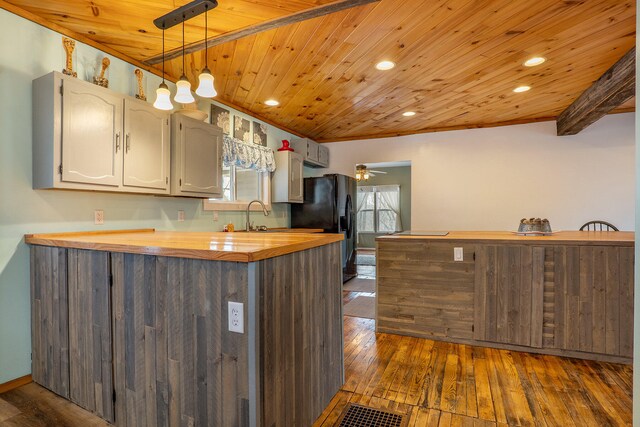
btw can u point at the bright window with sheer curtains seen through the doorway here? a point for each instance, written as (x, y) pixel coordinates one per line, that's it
(379, 209)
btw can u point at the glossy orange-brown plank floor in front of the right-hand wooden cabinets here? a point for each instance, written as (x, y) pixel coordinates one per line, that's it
(443, 384)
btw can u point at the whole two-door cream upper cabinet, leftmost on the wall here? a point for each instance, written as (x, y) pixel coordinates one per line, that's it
(86, 137)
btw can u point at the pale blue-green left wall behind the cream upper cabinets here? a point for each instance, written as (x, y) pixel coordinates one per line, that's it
(28, 51)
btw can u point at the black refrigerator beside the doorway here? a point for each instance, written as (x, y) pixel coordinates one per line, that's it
(329, 203)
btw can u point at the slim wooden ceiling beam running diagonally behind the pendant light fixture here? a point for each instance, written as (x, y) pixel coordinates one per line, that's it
(263, 26)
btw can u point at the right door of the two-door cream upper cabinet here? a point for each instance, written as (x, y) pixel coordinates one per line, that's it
(146, 146)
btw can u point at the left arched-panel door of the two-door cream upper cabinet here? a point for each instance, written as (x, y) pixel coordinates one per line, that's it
(91, 134)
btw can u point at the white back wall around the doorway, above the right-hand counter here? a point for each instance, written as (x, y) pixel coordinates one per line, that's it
(488, 179)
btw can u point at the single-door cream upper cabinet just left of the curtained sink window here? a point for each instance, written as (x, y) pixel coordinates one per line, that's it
(196, 158)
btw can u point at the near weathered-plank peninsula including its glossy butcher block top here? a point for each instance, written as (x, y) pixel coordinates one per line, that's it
(133, 325)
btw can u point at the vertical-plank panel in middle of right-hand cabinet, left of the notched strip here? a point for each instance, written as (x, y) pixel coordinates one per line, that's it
(509, 286)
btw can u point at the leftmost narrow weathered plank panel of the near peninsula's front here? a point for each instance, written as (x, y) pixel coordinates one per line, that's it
(50, 319)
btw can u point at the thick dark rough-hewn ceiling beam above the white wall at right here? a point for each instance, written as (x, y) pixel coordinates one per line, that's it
(616, 86)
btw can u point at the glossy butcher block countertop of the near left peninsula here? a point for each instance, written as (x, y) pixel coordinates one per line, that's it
(239, 247)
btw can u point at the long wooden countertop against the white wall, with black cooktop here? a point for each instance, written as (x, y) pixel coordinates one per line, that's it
(599, 238)
